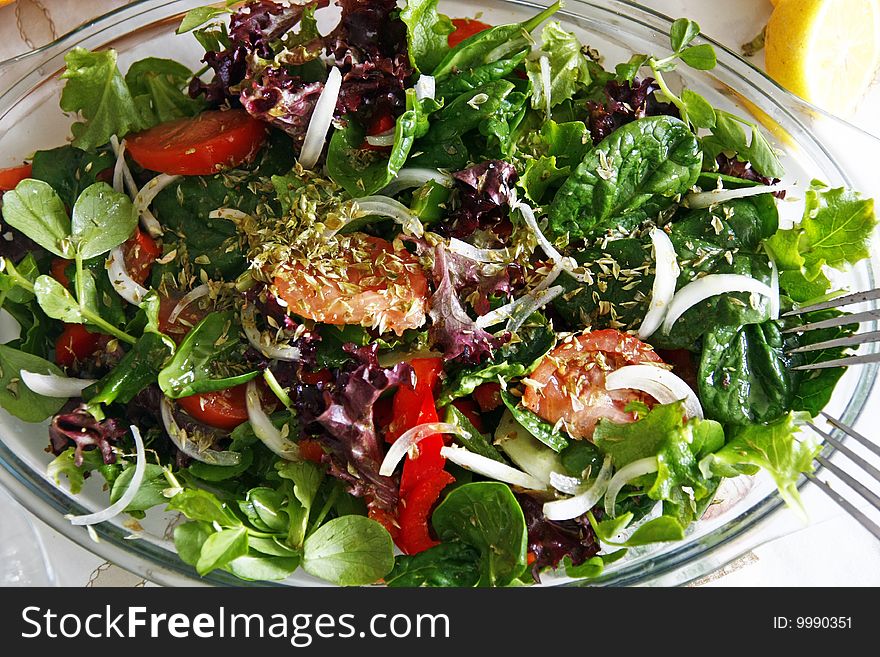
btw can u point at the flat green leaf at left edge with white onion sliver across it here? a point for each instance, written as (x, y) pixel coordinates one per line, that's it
(15, 397)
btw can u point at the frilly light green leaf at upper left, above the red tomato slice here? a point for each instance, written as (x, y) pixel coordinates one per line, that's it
(96, 90)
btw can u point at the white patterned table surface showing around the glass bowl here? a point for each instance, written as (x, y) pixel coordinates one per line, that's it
(831, 551)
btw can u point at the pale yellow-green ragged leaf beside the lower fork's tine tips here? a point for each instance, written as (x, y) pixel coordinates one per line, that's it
(774, 448)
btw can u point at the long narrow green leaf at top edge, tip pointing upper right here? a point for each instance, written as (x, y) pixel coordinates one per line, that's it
(491, 45)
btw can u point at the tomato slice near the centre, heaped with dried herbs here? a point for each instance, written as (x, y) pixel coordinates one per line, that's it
(368, 283)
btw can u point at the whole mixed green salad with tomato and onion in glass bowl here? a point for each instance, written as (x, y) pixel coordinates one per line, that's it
(393, 297)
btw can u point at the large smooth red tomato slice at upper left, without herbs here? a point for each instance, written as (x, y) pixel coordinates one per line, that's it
(202, 145)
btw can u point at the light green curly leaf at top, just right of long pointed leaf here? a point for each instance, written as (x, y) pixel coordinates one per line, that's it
(569, 69)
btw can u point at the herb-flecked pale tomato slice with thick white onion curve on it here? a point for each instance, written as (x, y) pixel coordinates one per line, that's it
(571, 381)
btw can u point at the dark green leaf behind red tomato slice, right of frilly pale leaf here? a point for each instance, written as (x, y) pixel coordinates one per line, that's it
(159, 90)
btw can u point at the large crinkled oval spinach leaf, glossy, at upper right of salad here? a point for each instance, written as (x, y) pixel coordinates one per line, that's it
(630, 176)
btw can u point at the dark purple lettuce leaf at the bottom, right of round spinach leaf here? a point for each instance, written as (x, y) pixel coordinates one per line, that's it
(550, 541)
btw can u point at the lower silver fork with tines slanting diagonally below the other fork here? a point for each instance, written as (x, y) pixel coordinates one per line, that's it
(871, 496)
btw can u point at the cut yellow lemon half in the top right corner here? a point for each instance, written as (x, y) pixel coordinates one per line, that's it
(826, 51)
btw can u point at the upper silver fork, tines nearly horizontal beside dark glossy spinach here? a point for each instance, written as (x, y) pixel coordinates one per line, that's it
(833, 322)
